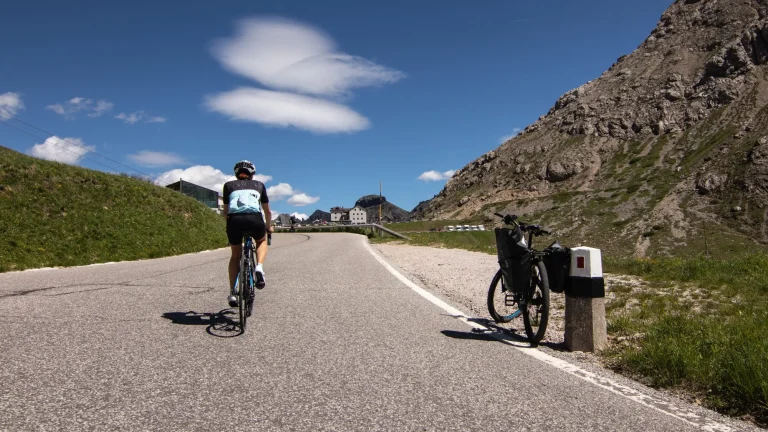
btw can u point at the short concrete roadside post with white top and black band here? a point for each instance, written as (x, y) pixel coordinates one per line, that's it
(585, 326)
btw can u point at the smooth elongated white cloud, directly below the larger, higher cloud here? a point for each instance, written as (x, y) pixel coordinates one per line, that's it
(287, 109)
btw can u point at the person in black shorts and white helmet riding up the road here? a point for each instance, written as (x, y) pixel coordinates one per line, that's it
(247, 211)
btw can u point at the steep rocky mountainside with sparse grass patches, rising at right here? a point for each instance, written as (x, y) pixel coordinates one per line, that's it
(665, 148)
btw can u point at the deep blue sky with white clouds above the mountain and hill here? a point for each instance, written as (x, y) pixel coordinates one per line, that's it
(326, 98)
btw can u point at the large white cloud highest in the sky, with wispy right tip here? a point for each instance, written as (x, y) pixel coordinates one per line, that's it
(290, 55)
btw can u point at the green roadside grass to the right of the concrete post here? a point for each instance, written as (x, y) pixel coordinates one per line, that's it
(718, 350)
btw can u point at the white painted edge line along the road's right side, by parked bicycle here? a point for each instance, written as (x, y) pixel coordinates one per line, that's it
(679, 413)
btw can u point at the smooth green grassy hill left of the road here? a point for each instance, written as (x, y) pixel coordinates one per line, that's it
(53, 214)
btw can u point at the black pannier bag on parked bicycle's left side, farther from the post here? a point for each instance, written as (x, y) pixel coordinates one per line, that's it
(514, 258)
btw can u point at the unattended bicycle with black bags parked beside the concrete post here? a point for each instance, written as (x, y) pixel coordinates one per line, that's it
(522, 285)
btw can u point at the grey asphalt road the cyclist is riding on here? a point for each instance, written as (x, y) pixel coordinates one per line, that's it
(337, 342)
